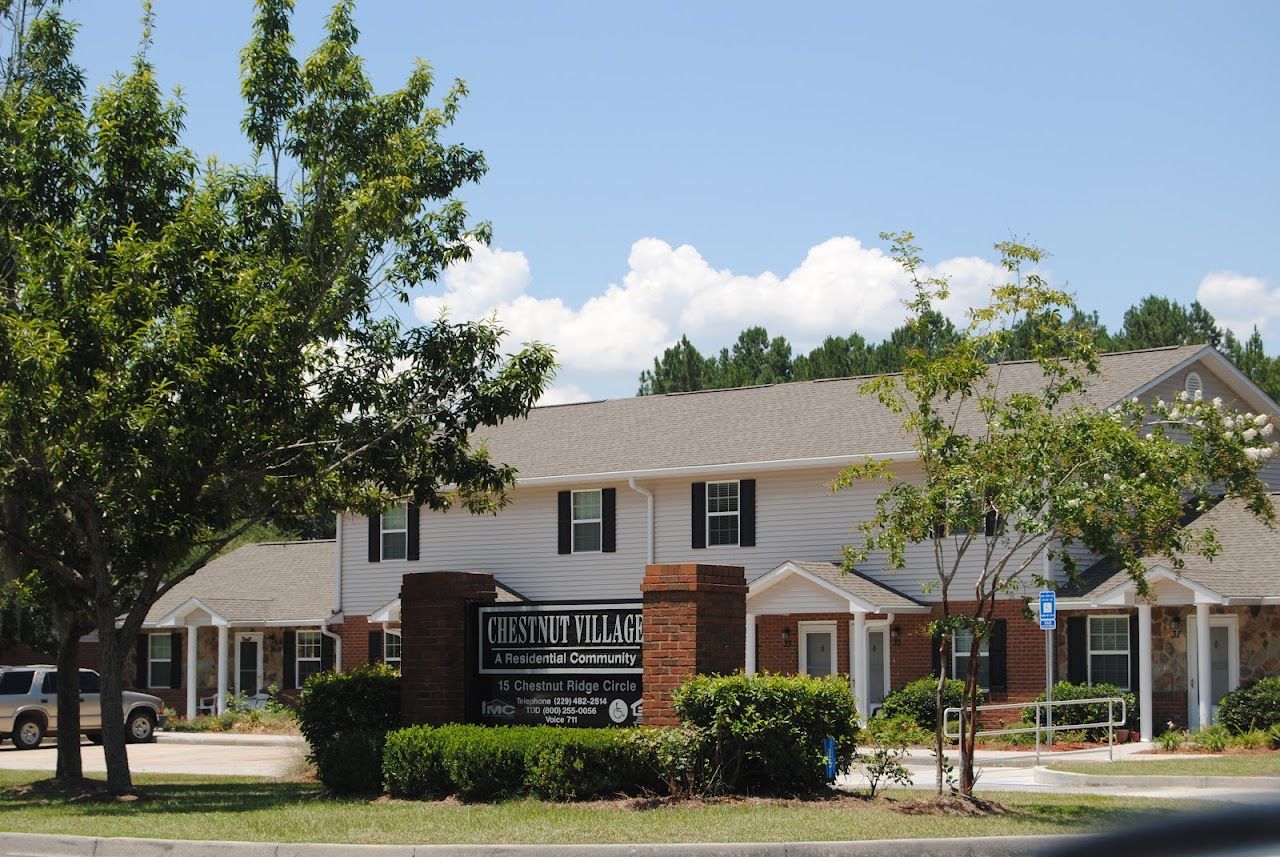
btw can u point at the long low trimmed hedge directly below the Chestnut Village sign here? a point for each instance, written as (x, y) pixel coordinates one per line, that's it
(495, 763)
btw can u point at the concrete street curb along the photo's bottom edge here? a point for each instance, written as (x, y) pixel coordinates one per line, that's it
(66, 846)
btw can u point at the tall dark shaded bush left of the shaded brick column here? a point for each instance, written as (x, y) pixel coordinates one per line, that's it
(345, 717)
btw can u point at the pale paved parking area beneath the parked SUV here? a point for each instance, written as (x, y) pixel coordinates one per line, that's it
(170, 759)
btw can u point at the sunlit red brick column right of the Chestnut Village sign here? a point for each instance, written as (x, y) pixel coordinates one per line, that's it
(694, 625)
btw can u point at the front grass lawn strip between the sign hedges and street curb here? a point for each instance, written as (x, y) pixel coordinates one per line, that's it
(190, 808)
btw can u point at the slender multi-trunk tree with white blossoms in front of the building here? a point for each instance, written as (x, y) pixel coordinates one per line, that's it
(1011, 476)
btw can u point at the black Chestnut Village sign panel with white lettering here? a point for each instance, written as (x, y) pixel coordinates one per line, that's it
(560, 664)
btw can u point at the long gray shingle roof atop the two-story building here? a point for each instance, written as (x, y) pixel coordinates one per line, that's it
(751, 425)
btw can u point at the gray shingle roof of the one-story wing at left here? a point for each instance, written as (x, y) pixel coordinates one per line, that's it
(268, 583)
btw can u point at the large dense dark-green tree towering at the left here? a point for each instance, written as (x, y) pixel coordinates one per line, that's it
(189, 350)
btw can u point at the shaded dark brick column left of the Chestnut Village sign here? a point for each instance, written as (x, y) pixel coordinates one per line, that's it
(438, 658)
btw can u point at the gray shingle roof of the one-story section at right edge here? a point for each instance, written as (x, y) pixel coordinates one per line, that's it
(1247, 569)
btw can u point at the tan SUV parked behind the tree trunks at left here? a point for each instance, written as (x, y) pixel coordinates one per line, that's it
(29, 707)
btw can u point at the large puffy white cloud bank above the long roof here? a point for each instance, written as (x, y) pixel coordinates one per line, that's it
(838, 288)
